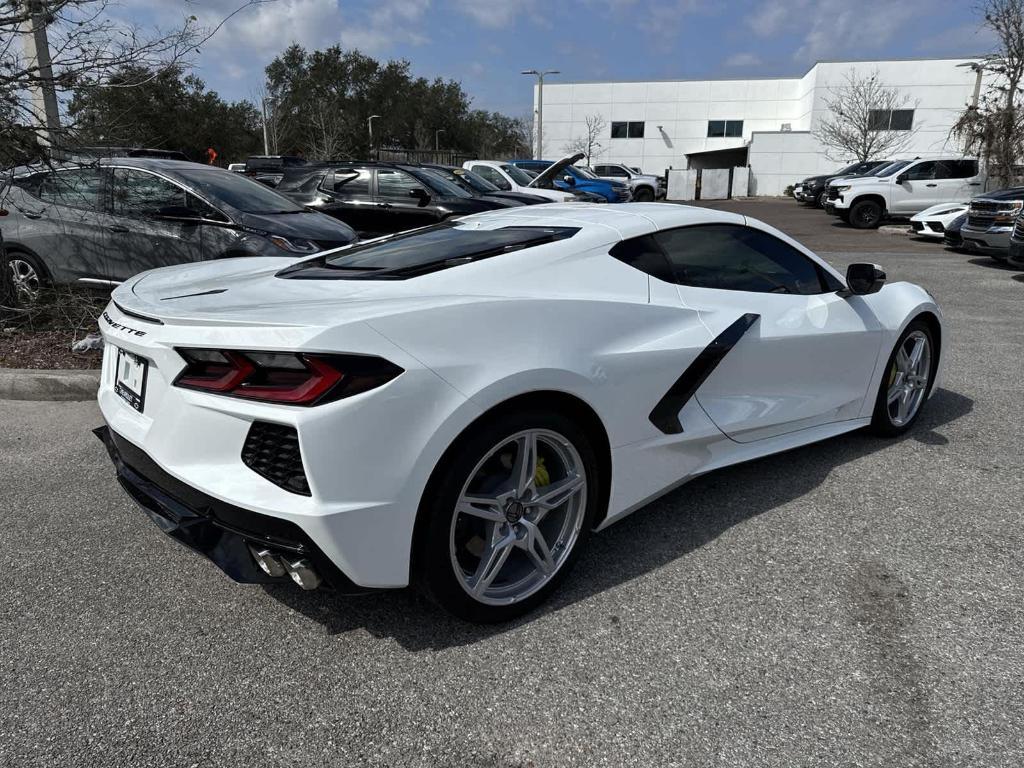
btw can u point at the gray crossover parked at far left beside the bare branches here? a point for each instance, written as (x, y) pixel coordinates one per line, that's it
(102, 224)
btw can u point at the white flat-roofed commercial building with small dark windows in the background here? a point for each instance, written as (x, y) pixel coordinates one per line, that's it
(765, 124)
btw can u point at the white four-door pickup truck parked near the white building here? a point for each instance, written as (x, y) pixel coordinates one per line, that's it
(866, 202)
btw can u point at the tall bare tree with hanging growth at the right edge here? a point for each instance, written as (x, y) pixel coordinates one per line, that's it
(994, 127)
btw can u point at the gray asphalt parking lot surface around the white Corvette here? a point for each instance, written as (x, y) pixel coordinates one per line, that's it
(860, 603)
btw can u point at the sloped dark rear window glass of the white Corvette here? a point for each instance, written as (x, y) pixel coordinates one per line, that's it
(425, 250)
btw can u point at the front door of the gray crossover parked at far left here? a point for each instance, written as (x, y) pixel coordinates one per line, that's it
(142, 236)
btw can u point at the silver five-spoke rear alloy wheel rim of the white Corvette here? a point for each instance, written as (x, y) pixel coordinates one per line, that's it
(519, 517)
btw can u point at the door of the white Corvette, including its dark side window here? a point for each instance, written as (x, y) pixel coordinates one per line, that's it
(801, 355)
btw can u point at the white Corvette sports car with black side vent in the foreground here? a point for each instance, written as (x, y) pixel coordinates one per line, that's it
(459, 407)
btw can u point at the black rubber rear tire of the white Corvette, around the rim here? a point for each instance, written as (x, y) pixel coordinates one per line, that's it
(435, 572)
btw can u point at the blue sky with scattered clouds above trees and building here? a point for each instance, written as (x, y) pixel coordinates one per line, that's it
(486, 44)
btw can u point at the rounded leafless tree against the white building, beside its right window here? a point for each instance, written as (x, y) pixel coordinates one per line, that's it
(865, 122)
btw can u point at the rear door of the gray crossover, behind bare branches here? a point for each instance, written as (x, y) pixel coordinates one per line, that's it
(76, 195)
